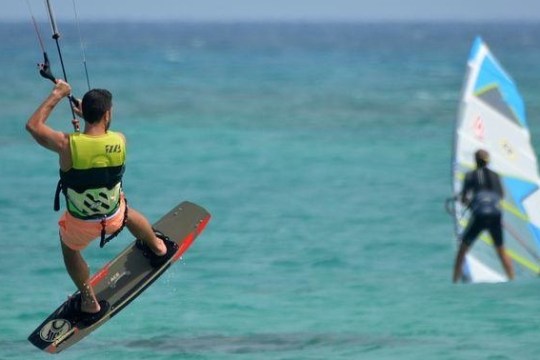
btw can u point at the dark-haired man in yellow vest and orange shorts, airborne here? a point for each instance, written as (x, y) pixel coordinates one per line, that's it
(92, 165)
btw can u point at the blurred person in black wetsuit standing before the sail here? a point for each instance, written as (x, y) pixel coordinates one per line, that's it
(482, 192)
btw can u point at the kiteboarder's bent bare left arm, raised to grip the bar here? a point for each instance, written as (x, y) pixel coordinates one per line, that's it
(42, 133)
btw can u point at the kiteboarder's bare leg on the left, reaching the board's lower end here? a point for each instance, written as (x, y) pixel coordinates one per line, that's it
(80, 274)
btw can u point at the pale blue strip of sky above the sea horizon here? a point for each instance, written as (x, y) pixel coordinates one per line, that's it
(276, 10)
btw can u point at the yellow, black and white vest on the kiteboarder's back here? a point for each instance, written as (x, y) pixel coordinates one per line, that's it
(92, 186)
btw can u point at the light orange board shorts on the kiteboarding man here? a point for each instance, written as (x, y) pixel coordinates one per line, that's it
(77, 234)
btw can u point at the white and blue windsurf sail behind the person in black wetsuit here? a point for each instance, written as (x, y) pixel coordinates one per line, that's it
(492, 117)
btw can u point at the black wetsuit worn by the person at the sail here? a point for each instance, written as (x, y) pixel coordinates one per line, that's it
(486, 189)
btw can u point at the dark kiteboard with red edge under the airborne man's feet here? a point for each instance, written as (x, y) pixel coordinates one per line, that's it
(121, 280)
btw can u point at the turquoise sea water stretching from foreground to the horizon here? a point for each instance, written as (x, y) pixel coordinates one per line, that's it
(323, 153)
